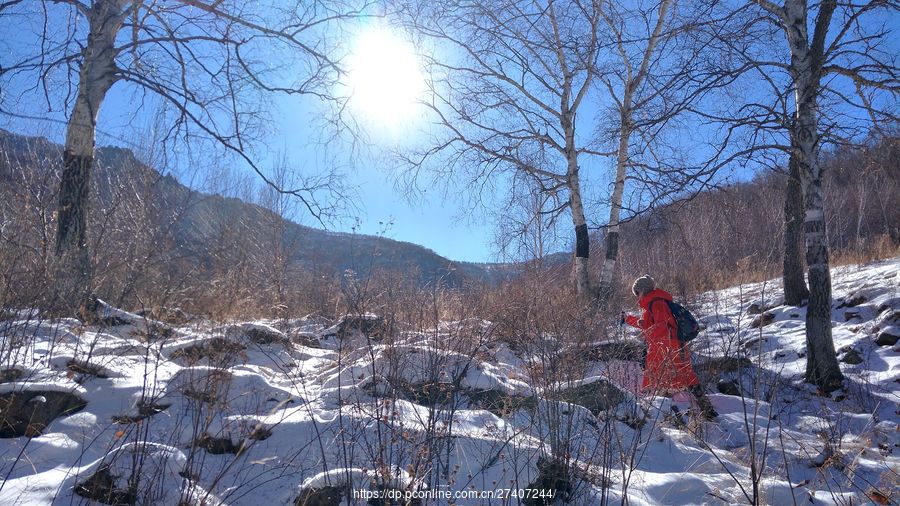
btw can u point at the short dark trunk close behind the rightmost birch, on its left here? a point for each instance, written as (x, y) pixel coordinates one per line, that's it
(795, 291)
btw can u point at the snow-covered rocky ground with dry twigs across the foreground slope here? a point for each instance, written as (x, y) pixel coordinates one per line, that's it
(282, 412)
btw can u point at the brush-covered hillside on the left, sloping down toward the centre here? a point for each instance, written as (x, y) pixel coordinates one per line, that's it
(166, 243)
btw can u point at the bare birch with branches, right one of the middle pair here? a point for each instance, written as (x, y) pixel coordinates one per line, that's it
(659, 68)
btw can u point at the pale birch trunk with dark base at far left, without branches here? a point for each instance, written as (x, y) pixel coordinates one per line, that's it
(97, 74)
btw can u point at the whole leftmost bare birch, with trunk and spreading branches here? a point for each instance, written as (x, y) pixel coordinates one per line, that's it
(208, 61)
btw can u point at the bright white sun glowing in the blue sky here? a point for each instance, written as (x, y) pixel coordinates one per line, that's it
(384, 78)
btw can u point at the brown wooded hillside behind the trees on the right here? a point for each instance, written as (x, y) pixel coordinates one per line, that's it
(735, 233)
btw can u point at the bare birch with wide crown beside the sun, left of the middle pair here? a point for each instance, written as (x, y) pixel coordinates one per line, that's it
(506, 91)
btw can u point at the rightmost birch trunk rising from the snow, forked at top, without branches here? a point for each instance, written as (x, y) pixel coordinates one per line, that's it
(806, 65)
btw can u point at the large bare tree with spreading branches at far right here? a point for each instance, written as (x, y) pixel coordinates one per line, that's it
(840, 73)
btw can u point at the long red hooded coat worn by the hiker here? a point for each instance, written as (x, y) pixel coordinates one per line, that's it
(668, 366)
